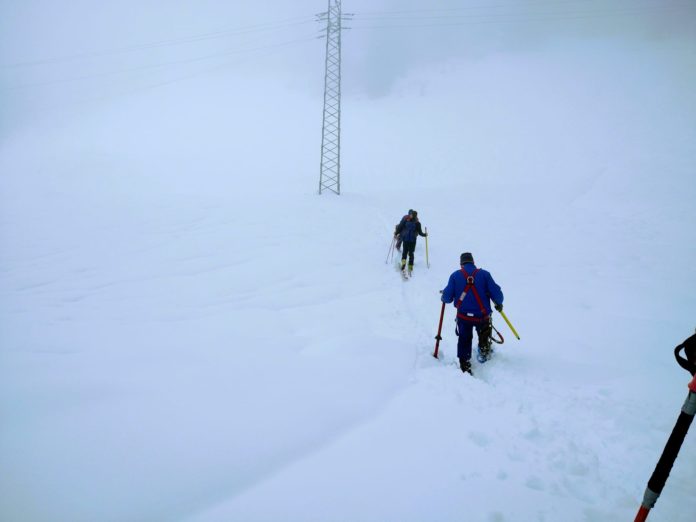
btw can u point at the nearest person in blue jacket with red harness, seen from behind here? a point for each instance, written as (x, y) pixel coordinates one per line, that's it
(472, 290)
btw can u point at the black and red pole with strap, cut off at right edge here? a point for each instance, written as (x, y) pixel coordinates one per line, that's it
(669, 454)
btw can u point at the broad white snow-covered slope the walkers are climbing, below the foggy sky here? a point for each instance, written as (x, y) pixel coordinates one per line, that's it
(190, 333)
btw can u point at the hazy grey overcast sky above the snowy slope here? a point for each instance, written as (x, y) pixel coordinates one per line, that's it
(50, 49)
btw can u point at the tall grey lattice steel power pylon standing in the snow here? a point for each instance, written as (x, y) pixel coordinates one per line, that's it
(330, 168)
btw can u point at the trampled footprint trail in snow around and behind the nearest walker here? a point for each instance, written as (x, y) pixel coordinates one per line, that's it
(550, 448)
